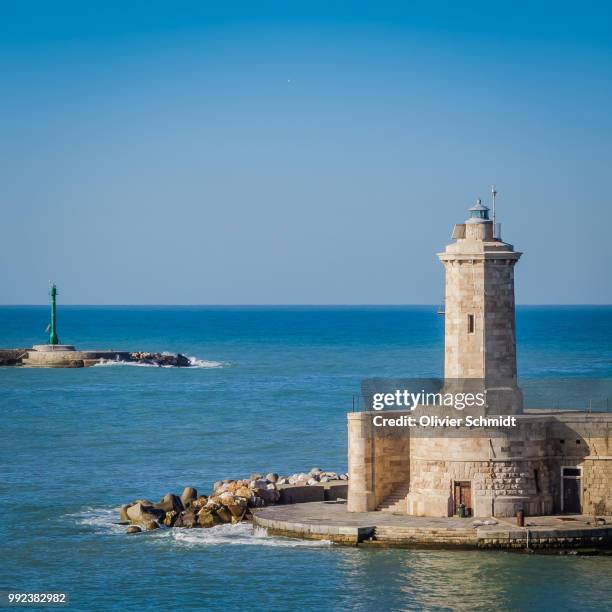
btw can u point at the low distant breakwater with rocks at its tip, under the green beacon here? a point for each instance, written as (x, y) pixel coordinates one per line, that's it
(67, 356)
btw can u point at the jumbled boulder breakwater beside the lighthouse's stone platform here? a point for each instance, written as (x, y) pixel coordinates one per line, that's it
(232, 501)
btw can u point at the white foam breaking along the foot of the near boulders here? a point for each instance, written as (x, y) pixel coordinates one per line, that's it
(104, 521)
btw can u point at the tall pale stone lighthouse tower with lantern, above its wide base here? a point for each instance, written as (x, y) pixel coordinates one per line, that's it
(480, 339)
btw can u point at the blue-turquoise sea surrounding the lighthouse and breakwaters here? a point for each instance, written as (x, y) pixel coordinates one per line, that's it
(271, 393)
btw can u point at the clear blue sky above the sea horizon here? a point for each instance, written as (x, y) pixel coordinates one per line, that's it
(299, 152)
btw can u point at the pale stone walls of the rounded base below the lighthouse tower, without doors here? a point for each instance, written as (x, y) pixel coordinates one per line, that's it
(514, 469)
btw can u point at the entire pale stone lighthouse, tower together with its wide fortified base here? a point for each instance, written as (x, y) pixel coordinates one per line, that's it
(549, 462)
